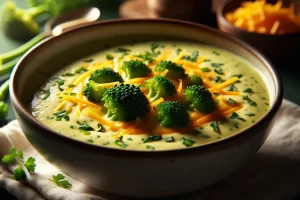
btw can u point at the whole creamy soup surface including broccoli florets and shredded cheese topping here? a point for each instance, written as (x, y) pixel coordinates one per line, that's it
(237, 97)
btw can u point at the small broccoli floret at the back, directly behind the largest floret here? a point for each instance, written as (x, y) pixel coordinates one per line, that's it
(135, 69)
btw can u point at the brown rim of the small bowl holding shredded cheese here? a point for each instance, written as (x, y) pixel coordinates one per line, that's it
(222, 21)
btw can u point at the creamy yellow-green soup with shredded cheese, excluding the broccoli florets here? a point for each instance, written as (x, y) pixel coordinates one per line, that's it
(237, 88)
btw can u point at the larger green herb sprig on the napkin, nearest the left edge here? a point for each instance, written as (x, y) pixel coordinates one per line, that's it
(17, 156)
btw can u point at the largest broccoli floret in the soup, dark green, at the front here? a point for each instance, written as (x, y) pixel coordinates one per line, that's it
(125, 102)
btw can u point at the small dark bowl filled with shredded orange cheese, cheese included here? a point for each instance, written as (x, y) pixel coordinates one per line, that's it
(273, 27)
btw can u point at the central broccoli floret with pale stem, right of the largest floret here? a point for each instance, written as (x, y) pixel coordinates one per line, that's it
(160, 86)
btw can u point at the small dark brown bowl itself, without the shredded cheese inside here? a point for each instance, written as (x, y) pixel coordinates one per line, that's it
(275, 47)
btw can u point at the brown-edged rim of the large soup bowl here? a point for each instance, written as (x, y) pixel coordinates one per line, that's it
(219, 144)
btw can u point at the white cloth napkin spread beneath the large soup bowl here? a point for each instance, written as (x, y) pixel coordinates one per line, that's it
(272, 174)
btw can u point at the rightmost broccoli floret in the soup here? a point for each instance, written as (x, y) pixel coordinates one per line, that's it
(200, 98)
